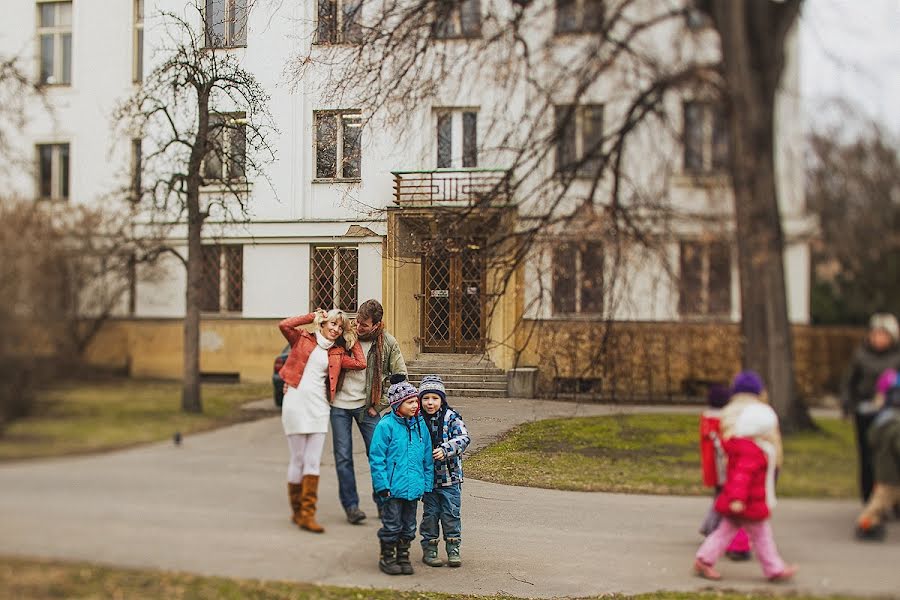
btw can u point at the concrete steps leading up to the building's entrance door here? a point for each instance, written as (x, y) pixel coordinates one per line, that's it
(469, 375)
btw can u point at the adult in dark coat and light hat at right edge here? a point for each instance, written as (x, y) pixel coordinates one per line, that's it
(879, 351)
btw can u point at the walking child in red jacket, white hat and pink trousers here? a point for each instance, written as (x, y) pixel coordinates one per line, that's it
(747, 496)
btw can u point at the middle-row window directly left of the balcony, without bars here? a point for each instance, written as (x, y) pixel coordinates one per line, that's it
(338, 144)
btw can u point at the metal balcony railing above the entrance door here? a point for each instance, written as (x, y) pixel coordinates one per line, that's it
(452, 187)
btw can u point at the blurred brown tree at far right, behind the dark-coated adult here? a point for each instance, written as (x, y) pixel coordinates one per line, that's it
(853, 176)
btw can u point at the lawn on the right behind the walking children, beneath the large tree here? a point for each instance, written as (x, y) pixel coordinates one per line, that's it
(654, 454)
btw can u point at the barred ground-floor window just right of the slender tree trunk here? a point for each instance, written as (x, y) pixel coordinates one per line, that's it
(222, 285)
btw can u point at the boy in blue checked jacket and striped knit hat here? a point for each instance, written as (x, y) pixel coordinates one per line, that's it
(449, 439)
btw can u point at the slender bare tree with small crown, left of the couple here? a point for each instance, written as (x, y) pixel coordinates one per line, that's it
(206, 124)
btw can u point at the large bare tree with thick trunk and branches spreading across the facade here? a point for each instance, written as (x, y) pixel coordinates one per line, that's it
(544, 59)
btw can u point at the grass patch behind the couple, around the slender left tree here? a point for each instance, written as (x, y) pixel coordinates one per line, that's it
(79, 417)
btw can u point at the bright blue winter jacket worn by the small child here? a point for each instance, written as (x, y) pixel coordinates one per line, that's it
(400, 457)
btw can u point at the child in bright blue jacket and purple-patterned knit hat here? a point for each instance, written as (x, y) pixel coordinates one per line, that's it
(402, 472)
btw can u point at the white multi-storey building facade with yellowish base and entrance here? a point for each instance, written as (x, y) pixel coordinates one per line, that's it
(425, 213)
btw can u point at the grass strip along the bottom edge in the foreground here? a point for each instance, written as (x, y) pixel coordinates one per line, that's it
(27, 579)
